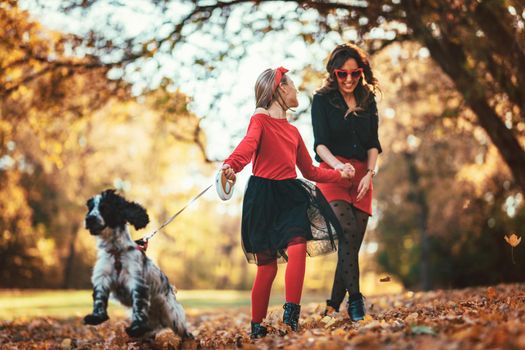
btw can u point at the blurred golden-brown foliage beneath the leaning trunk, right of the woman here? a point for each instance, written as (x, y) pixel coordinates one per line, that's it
(445, 200)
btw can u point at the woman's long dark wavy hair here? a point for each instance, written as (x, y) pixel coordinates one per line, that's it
(365, 90)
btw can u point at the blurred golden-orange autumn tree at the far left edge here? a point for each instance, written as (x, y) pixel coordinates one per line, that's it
(44, 93)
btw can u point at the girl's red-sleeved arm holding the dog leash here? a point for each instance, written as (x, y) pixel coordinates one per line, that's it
(243, 153)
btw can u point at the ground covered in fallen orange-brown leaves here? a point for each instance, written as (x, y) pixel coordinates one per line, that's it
(475, 318)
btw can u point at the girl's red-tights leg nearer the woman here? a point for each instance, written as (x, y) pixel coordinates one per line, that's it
(295, 269)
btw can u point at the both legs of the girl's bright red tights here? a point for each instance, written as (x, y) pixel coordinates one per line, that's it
(294, 279)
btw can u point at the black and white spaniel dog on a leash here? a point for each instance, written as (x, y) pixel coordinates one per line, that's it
(123, 269)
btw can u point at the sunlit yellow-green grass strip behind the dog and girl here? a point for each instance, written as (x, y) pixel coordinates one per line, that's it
(23, 304)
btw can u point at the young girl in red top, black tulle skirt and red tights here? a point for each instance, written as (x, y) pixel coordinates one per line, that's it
(283, 218)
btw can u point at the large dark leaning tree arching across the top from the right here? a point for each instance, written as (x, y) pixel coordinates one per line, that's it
(479, 45)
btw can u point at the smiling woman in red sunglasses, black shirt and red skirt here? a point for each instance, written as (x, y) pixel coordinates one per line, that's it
(345, 123)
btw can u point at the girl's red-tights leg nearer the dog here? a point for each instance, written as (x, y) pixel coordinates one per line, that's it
(262, 287)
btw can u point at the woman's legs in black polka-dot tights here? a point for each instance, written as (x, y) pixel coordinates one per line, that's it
(353, 222)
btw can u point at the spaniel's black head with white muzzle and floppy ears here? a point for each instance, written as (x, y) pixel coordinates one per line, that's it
(109, 210)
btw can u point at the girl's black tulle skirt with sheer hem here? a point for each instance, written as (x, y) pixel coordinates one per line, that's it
(277, 213)
